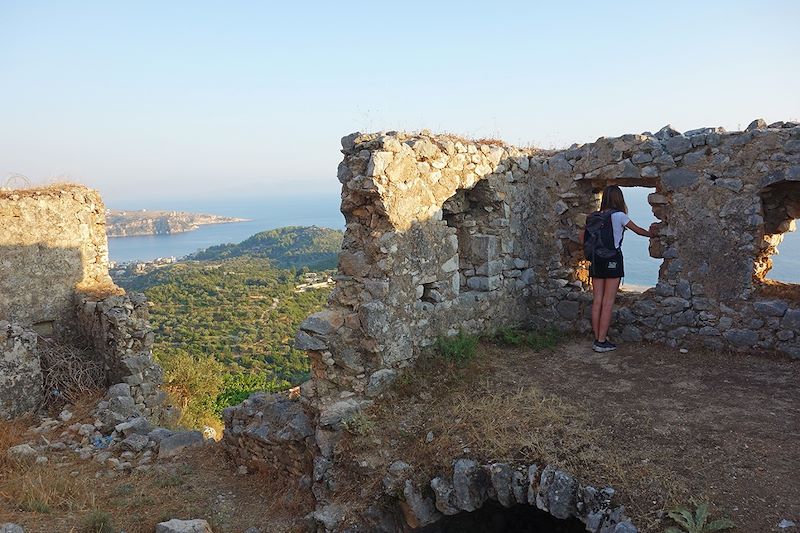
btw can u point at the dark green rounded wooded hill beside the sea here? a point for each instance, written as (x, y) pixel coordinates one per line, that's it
(310, 246)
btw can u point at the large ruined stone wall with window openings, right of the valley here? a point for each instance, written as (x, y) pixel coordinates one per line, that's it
(445, 234)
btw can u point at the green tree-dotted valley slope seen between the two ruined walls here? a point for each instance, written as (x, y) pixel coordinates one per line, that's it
(224, 327)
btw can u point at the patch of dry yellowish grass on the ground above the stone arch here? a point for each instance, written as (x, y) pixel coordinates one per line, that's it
(486, 413)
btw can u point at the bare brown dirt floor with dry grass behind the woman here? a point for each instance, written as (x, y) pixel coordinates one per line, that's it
(664, 429)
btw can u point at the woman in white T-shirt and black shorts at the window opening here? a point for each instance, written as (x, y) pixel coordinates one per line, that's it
(606, 273)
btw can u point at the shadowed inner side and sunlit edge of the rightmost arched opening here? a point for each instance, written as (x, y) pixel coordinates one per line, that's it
(780, 204)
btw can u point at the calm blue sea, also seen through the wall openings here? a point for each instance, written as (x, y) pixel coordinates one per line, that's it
(641, 270)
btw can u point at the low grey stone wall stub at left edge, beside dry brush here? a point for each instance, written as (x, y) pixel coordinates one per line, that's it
(20, 371)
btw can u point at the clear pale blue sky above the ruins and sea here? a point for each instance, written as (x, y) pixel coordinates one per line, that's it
(246, 99)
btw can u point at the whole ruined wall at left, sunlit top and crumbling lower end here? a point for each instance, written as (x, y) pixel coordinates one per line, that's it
(55, 283)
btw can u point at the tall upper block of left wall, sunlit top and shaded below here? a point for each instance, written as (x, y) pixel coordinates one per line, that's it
(53, 240)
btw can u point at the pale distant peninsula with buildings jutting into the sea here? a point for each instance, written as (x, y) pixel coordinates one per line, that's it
(146, 222)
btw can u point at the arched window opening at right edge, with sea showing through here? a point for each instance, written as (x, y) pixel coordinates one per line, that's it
(777, 262)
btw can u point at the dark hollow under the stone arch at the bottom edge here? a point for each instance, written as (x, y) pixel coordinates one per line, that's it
(494, 518)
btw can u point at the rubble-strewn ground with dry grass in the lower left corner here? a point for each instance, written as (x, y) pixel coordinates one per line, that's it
(62, 474)
